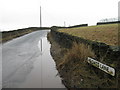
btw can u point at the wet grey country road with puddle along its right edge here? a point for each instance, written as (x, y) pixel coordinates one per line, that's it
(27, 63)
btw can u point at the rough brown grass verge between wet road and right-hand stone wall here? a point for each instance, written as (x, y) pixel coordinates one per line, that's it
(74, 70)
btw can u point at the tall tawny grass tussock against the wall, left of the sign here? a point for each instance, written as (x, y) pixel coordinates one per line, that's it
(78, 53)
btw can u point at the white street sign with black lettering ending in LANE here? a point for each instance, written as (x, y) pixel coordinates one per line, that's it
(101, 66)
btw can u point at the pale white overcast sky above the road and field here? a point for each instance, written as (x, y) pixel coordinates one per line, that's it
(16, 14)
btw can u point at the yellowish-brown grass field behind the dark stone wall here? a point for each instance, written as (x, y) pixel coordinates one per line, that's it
(101, 33)
